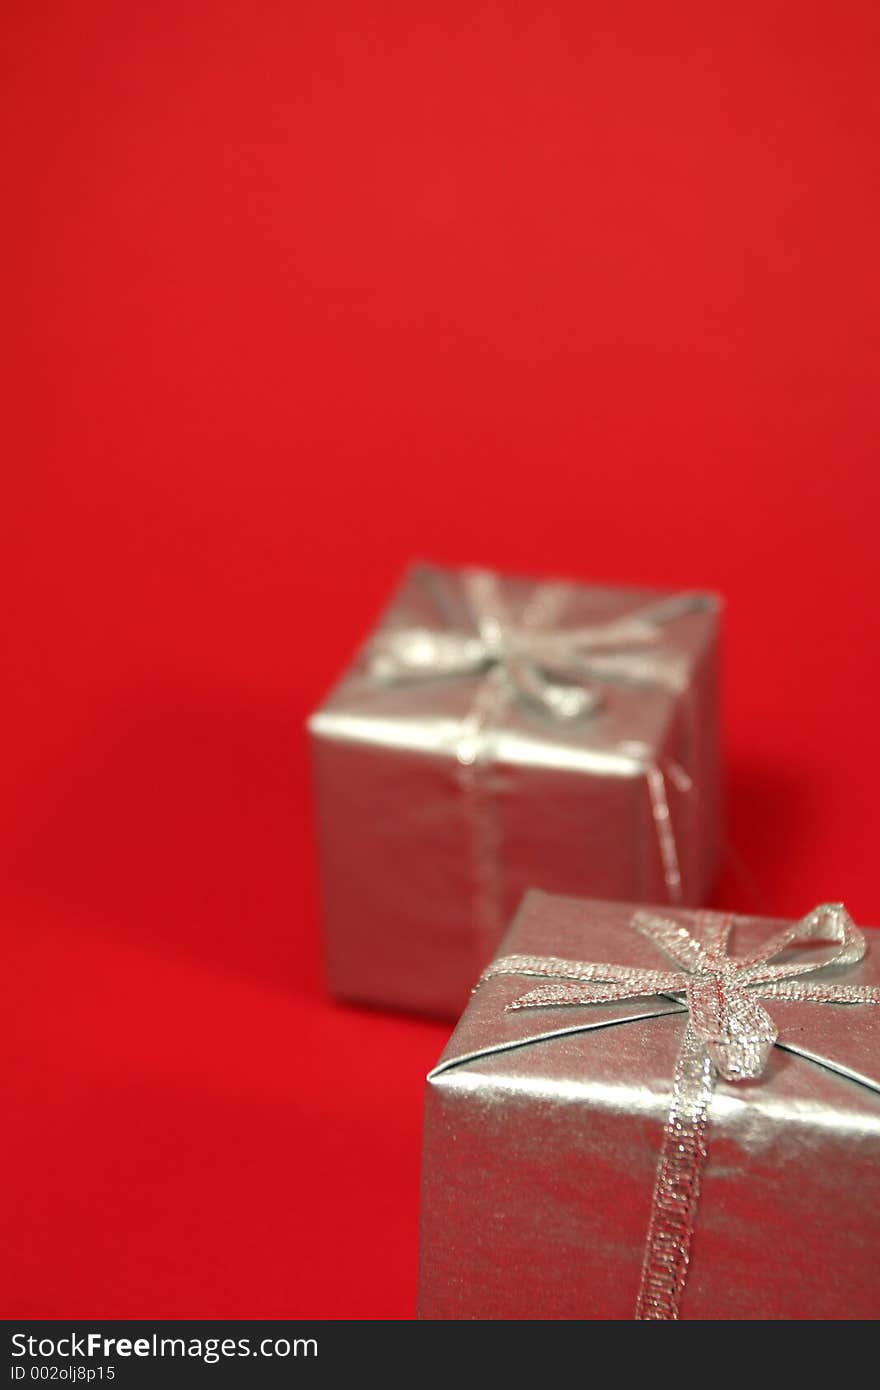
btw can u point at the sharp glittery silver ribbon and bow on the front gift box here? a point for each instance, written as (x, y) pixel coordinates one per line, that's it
(728, 1032)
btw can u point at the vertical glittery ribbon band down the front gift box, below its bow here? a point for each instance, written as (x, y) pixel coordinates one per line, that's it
(676, 1192)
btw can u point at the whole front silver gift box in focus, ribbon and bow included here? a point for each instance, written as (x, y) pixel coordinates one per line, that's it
(711, 1152)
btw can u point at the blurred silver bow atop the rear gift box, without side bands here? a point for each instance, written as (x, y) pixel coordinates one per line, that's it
(551, 669)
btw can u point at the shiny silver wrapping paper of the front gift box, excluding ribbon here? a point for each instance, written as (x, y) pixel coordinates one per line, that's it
(540, 1156)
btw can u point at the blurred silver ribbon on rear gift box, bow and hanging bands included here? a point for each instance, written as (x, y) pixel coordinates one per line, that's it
(555, 671)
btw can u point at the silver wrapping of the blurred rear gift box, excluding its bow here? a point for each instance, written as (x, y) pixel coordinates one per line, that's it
(443, 797)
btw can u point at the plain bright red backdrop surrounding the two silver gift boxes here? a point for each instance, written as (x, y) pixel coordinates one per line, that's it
(294, 294)
